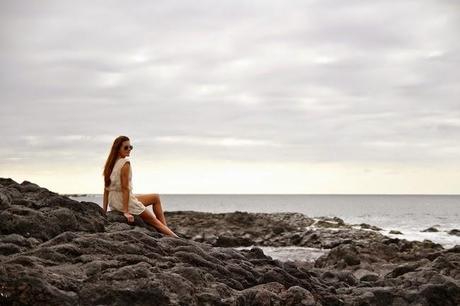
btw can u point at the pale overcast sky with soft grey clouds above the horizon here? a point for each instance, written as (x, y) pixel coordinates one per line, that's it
(272, 97)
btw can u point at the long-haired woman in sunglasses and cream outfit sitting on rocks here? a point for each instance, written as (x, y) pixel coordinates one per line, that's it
(118, 189)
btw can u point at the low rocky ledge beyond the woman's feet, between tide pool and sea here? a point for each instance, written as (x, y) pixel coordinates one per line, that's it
(265, 229)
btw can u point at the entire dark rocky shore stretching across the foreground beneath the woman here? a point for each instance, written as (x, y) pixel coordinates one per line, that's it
(57, 251)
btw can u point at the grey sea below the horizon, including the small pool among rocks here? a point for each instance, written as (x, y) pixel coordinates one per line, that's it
(409, 214)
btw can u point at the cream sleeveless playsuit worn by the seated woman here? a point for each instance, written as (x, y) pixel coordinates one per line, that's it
(135, 206)
